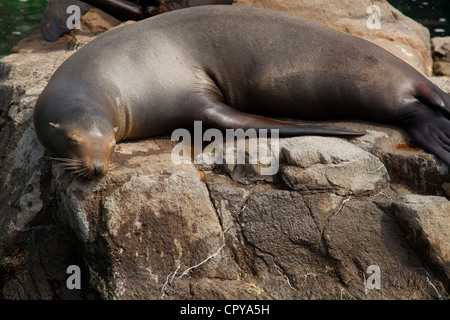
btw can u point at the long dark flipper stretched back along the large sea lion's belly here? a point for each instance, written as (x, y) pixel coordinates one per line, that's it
(220, 116)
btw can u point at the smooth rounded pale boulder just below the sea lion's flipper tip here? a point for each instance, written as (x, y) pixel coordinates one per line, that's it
(331, 164)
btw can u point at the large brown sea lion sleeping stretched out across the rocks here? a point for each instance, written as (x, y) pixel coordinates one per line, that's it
(223, 65)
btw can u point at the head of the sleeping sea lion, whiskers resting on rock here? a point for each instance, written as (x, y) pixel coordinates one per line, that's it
(81, 141)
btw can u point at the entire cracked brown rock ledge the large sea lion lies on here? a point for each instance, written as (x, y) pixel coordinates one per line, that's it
(151, 229)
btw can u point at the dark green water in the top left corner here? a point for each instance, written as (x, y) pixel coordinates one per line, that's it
(18, 19)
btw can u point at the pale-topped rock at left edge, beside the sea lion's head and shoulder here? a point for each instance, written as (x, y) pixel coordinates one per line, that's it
(22, 164)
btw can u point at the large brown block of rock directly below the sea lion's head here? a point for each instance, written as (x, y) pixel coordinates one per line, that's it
(148, 225)
